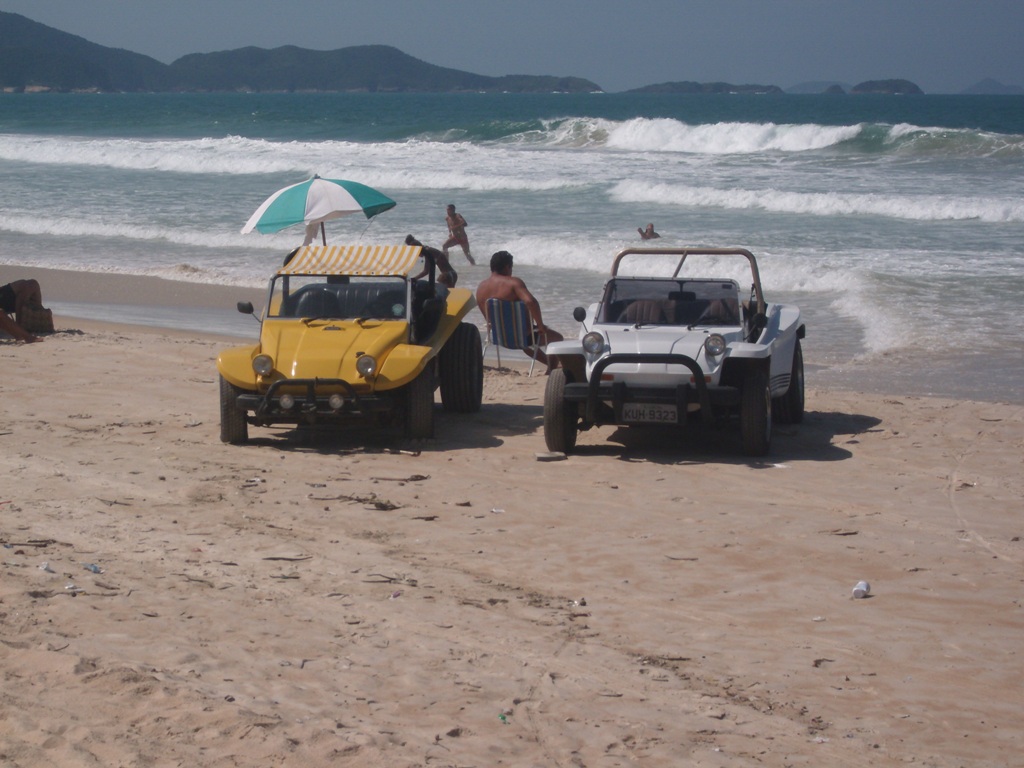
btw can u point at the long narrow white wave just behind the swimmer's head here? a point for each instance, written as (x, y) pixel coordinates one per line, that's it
(930, 208)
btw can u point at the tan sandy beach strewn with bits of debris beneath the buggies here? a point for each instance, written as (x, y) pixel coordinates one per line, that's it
(354, 599)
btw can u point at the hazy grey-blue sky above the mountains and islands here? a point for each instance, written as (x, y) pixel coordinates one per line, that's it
(945, 47)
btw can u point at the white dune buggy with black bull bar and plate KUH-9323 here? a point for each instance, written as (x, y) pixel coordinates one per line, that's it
(668, 349)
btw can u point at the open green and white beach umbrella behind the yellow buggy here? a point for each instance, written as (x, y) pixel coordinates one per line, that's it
(314, 202)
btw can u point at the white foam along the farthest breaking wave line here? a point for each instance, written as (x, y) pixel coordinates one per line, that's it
(236, 155)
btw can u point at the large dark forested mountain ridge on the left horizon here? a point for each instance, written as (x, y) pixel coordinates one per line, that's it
(34, 57)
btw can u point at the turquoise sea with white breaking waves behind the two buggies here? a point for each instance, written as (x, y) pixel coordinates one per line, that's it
(897, 224)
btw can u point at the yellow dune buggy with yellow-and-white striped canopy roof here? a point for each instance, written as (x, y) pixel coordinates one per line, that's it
(355, 333)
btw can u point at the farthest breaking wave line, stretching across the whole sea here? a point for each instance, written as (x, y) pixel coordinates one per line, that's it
(422, 163)
